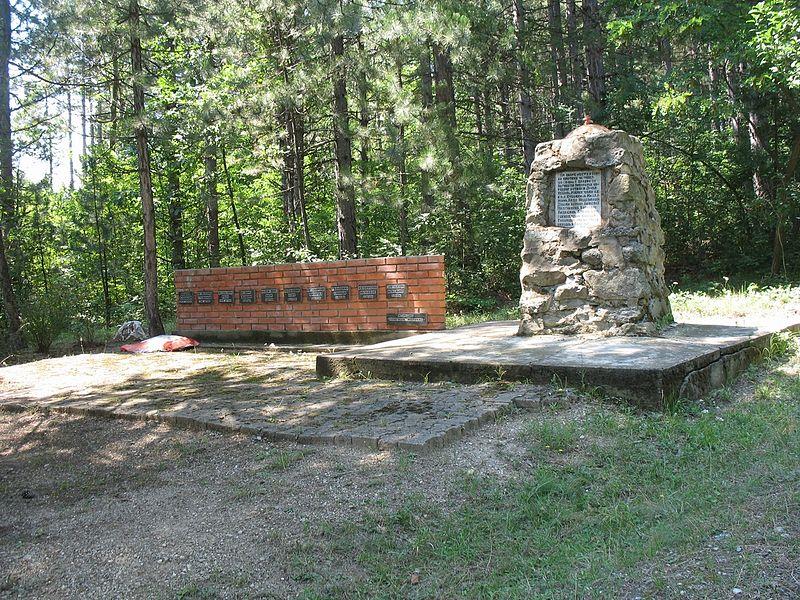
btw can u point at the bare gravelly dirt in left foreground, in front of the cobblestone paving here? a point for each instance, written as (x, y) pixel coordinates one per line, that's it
(97, 509)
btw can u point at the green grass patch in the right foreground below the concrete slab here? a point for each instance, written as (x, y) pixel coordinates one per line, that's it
(636, 488)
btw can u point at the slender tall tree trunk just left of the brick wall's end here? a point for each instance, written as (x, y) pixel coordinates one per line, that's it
(156, 326)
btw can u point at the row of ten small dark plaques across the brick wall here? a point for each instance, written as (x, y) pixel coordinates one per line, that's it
(368, 291)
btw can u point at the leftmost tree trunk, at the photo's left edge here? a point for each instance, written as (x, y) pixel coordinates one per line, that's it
(13, 320)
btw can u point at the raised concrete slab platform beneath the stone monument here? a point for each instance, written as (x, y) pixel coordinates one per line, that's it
(687, 361)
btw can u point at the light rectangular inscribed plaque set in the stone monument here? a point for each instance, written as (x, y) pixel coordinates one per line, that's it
(577, 199)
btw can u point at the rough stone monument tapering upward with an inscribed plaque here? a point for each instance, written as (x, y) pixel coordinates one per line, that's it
(593, 258)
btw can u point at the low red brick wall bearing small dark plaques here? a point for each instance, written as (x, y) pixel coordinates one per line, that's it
(424, 276)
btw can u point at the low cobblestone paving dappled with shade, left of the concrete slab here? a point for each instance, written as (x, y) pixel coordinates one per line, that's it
(269, 394)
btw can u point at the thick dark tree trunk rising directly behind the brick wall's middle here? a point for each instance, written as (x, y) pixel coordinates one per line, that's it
(345, 193)
